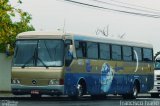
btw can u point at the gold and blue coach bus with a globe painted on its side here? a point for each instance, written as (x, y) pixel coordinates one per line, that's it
(55, 63)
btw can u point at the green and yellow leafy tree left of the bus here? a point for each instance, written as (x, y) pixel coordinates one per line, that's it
(8, 28)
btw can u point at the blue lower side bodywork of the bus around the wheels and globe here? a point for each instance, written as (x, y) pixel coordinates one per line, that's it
(121, 83)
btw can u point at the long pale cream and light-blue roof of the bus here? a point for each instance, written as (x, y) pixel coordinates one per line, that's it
(60, 35)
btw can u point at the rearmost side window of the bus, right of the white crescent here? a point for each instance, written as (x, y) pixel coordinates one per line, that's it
(147, 54)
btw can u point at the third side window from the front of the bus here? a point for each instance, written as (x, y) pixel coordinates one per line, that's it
(104, 51)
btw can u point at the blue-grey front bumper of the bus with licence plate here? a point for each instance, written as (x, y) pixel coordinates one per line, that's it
(18, 89)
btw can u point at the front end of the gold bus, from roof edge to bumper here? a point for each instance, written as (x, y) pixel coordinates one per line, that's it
(37, 66)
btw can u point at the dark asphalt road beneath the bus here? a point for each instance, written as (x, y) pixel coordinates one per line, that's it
(143, 100)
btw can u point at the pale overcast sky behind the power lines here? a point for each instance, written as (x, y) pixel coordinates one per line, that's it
(51, 15)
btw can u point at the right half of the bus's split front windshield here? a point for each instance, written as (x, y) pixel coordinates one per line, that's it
(50, 53)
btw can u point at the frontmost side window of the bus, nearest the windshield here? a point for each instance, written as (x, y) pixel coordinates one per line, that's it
(80, 49)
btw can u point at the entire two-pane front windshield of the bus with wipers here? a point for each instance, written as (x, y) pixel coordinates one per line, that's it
(38, 53)
